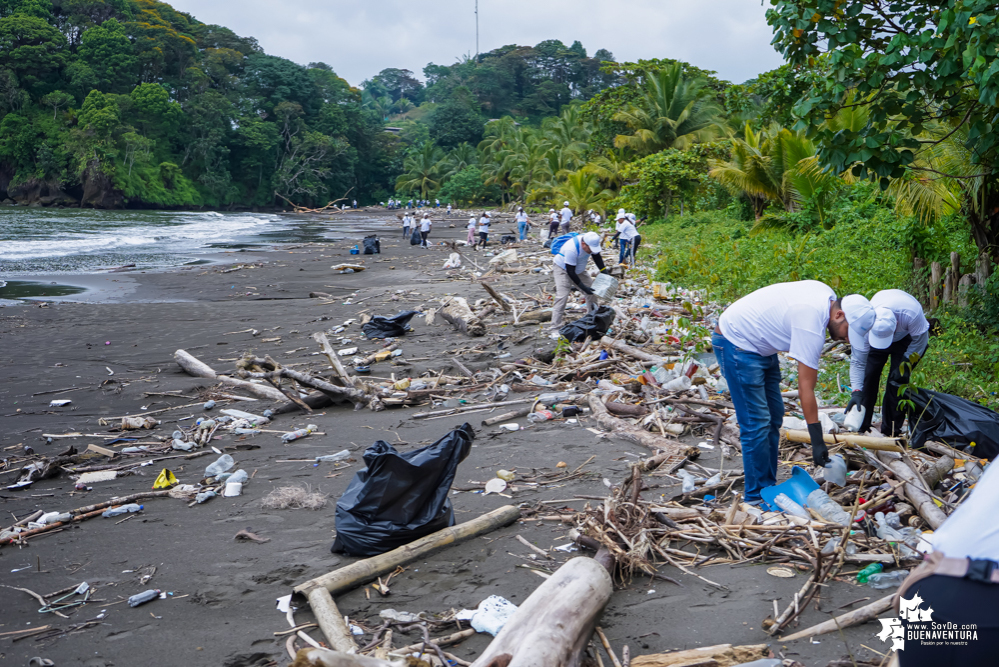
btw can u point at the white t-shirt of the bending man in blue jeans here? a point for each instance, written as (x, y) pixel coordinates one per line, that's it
(786, 317)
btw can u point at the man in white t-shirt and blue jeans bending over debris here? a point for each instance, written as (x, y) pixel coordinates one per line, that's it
(786, 317)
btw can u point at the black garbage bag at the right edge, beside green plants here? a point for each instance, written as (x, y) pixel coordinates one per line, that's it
(954, 421)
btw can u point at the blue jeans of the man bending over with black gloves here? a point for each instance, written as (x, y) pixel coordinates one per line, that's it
(754, 382)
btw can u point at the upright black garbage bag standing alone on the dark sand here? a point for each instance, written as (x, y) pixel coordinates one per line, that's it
(399, 498)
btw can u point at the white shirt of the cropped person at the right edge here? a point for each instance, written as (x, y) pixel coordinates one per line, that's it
(968, 532)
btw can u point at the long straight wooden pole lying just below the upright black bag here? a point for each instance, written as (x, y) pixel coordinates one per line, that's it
(361, 571)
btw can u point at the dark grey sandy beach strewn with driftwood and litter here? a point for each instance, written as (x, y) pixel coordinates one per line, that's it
(220, 604)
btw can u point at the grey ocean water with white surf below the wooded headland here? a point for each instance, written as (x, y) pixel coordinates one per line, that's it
(39, 241)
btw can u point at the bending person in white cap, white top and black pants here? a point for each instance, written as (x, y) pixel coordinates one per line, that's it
(900, 333)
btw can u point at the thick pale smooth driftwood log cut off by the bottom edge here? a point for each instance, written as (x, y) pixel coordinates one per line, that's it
(553, 626)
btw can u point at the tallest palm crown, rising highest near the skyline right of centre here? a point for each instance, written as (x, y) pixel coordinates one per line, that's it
(673, 112)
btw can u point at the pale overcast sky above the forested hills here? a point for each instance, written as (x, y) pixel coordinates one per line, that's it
(358, 39)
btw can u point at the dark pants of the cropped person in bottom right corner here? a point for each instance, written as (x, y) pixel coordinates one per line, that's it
(962, 602)
